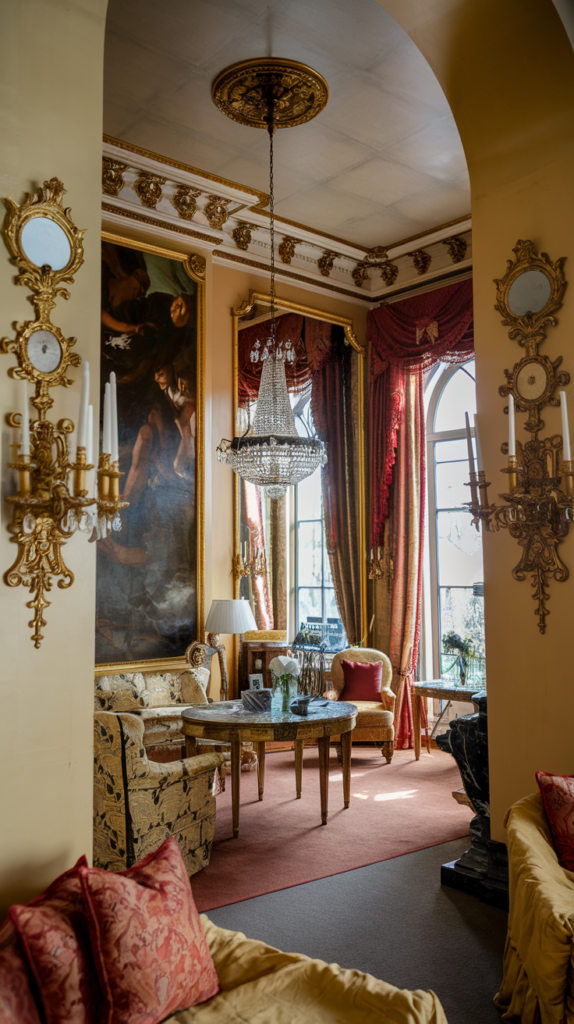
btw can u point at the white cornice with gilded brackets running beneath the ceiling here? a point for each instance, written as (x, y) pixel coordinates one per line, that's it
(235, 223)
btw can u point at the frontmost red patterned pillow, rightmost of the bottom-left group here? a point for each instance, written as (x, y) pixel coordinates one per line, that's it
(151, 952)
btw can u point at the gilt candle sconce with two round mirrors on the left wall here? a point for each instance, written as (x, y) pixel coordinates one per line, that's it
(53, 500)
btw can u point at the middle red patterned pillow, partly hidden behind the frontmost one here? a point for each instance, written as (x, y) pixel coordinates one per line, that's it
(55, 936)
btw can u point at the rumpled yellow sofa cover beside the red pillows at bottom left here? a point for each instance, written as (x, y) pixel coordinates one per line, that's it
(261, 986)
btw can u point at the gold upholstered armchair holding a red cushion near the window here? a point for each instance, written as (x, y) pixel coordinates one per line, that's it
(376, 719)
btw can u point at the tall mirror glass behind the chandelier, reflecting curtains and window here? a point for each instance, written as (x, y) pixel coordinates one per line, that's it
(300, 560)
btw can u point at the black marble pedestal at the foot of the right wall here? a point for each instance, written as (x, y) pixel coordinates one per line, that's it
(483, 869)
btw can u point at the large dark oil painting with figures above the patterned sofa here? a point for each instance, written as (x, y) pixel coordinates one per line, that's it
(148, 586)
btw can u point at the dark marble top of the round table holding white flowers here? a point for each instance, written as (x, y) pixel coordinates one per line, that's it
(234, 713)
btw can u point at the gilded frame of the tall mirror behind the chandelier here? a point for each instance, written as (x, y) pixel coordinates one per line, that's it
(244, 312)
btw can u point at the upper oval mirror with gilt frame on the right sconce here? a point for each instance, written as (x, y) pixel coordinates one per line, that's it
(529, 294)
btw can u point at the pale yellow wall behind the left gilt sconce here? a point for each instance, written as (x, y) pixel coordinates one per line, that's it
(51, 111)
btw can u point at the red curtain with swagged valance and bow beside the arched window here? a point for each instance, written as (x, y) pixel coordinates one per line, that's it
(407, 338)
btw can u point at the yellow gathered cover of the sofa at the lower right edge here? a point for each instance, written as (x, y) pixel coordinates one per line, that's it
(538, 986)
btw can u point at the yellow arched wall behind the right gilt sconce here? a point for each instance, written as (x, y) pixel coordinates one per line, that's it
(508, 72)
